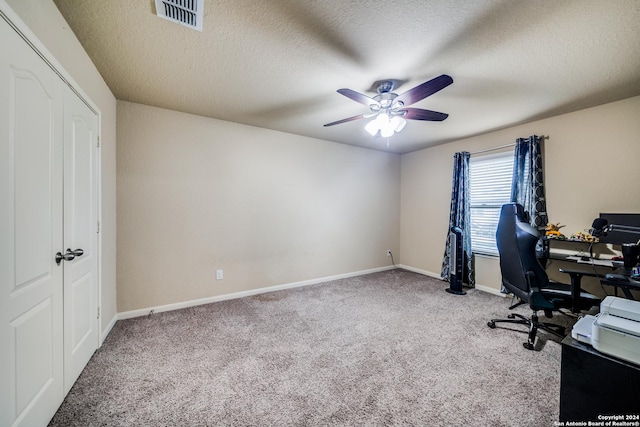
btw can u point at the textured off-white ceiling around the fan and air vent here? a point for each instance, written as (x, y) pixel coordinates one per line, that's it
(277, 64)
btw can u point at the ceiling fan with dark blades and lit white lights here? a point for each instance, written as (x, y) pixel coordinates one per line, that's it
(391, 110)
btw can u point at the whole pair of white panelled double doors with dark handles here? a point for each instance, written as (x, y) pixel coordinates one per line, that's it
(48, 235)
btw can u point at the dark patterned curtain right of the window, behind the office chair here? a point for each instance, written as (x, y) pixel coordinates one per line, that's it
(527, 188)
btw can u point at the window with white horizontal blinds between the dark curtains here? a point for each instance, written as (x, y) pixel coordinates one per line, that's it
(490, 187)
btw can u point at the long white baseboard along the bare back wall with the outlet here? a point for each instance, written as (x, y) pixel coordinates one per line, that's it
(242, 294)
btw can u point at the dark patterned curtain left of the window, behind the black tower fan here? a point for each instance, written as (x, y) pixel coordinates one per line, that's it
(460, 217)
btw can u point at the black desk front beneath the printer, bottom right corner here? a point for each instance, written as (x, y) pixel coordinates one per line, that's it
(593, 383)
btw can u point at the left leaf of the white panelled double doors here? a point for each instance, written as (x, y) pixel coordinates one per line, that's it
(31, 283)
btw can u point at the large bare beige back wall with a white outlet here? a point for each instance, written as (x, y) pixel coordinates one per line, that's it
(198, 194)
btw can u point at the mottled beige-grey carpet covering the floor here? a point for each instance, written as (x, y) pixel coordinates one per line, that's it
(390, 348)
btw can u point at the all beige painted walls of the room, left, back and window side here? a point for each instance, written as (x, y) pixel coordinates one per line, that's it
(271, 208)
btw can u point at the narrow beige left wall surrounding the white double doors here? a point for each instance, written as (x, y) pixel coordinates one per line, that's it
(44, 19)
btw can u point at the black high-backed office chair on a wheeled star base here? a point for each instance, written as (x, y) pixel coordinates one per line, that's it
(526, 279)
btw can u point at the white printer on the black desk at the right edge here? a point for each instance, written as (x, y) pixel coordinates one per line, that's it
(614, 331)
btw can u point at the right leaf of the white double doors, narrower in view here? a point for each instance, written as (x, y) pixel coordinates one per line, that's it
(80, 236)
